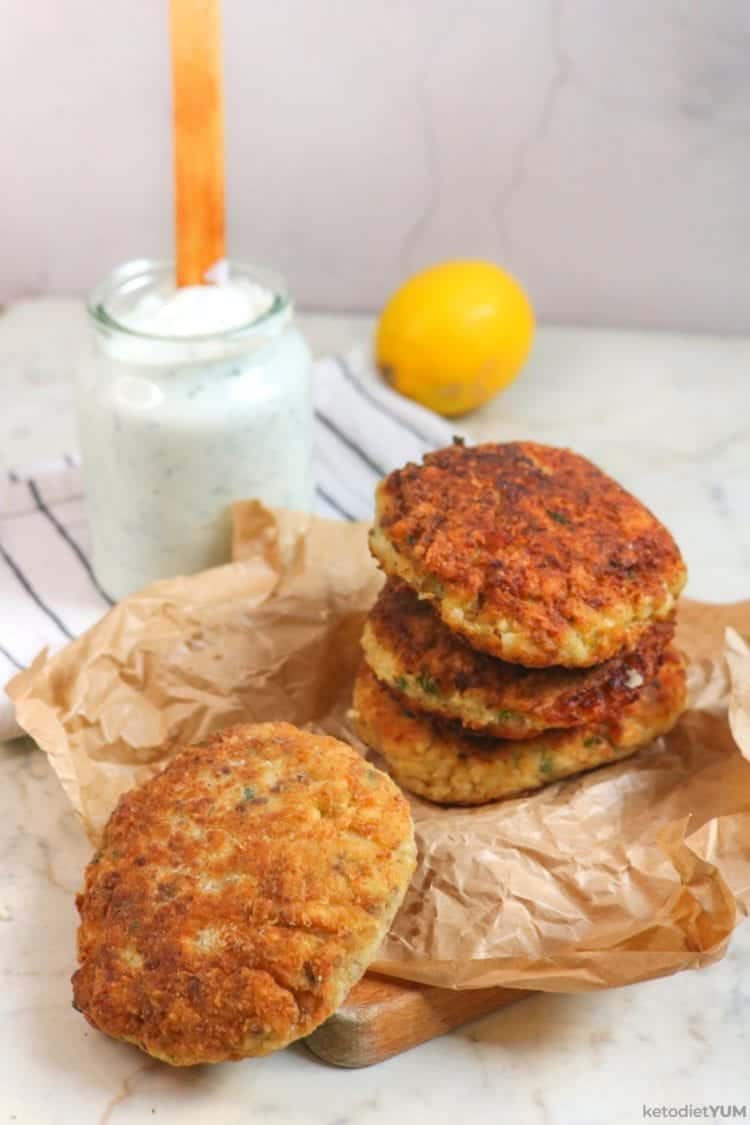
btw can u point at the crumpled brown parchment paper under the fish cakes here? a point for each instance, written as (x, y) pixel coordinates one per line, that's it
(626, 874)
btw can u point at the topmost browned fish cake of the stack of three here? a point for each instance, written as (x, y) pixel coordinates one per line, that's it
(529, 552)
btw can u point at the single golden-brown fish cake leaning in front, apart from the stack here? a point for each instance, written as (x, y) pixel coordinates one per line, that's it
(240, 894)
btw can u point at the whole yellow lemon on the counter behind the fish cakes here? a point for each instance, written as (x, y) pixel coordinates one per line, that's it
(455, 335)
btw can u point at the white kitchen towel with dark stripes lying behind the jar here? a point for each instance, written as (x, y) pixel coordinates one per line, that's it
(49, 593)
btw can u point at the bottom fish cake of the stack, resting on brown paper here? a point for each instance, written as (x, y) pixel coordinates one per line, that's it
(444, 763)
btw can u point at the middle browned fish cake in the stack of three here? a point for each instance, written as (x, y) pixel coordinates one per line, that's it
(413, 653)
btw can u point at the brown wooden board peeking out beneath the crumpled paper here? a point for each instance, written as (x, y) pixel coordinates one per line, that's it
(382, 1018)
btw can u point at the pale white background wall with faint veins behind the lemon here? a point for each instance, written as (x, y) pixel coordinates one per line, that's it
(601, 150)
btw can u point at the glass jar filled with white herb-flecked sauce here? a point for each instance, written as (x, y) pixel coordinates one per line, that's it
(174, 429)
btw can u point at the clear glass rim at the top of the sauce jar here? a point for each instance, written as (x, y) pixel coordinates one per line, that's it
(137, 274)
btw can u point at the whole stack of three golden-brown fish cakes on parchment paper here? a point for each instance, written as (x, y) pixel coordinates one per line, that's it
(526, 629)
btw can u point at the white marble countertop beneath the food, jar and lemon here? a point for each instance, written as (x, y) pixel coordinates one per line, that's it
(670, 416)
